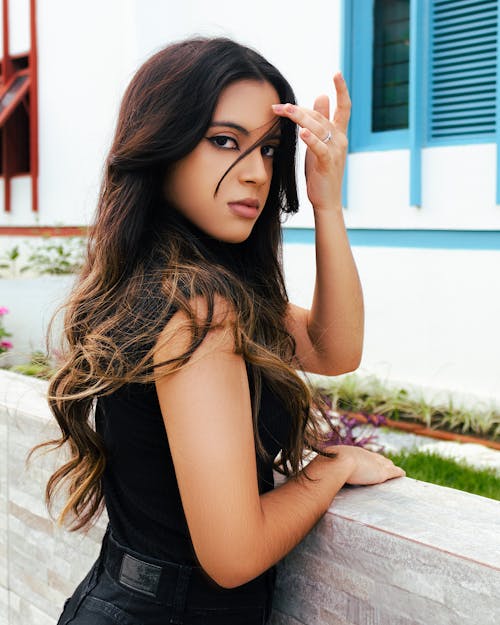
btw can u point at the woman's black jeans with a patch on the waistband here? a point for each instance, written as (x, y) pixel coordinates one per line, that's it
(126, 588)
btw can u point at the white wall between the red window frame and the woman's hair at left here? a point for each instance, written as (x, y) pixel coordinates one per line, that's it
(85, 60)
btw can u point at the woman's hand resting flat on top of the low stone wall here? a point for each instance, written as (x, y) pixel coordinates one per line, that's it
(368, 467)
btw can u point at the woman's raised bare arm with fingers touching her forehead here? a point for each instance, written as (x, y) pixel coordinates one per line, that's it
(329, 336)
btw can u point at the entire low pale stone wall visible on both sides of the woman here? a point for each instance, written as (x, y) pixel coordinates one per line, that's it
(400, 553)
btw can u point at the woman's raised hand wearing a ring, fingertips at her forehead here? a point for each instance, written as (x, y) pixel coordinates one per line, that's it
(326, 142)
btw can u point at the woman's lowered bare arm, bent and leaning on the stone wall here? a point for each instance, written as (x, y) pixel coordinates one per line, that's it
(238, 534)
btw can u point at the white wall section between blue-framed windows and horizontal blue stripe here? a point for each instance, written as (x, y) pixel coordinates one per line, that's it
(458, 189)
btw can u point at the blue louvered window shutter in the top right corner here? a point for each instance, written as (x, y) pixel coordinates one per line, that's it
(463, 69)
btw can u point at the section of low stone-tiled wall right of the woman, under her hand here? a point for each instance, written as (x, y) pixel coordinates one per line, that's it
(400, 553)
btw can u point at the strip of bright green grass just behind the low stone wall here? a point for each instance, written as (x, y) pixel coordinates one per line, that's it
(429, 467)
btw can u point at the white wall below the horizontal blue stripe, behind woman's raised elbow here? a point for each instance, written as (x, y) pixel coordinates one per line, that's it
(432, 316)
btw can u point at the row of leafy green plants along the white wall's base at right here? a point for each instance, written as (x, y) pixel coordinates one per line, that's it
(369, 396)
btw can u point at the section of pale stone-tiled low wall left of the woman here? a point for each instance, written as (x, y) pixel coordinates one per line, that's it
(40, 564)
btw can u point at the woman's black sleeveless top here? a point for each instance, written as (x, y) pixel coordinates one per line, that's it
(140, 489)
